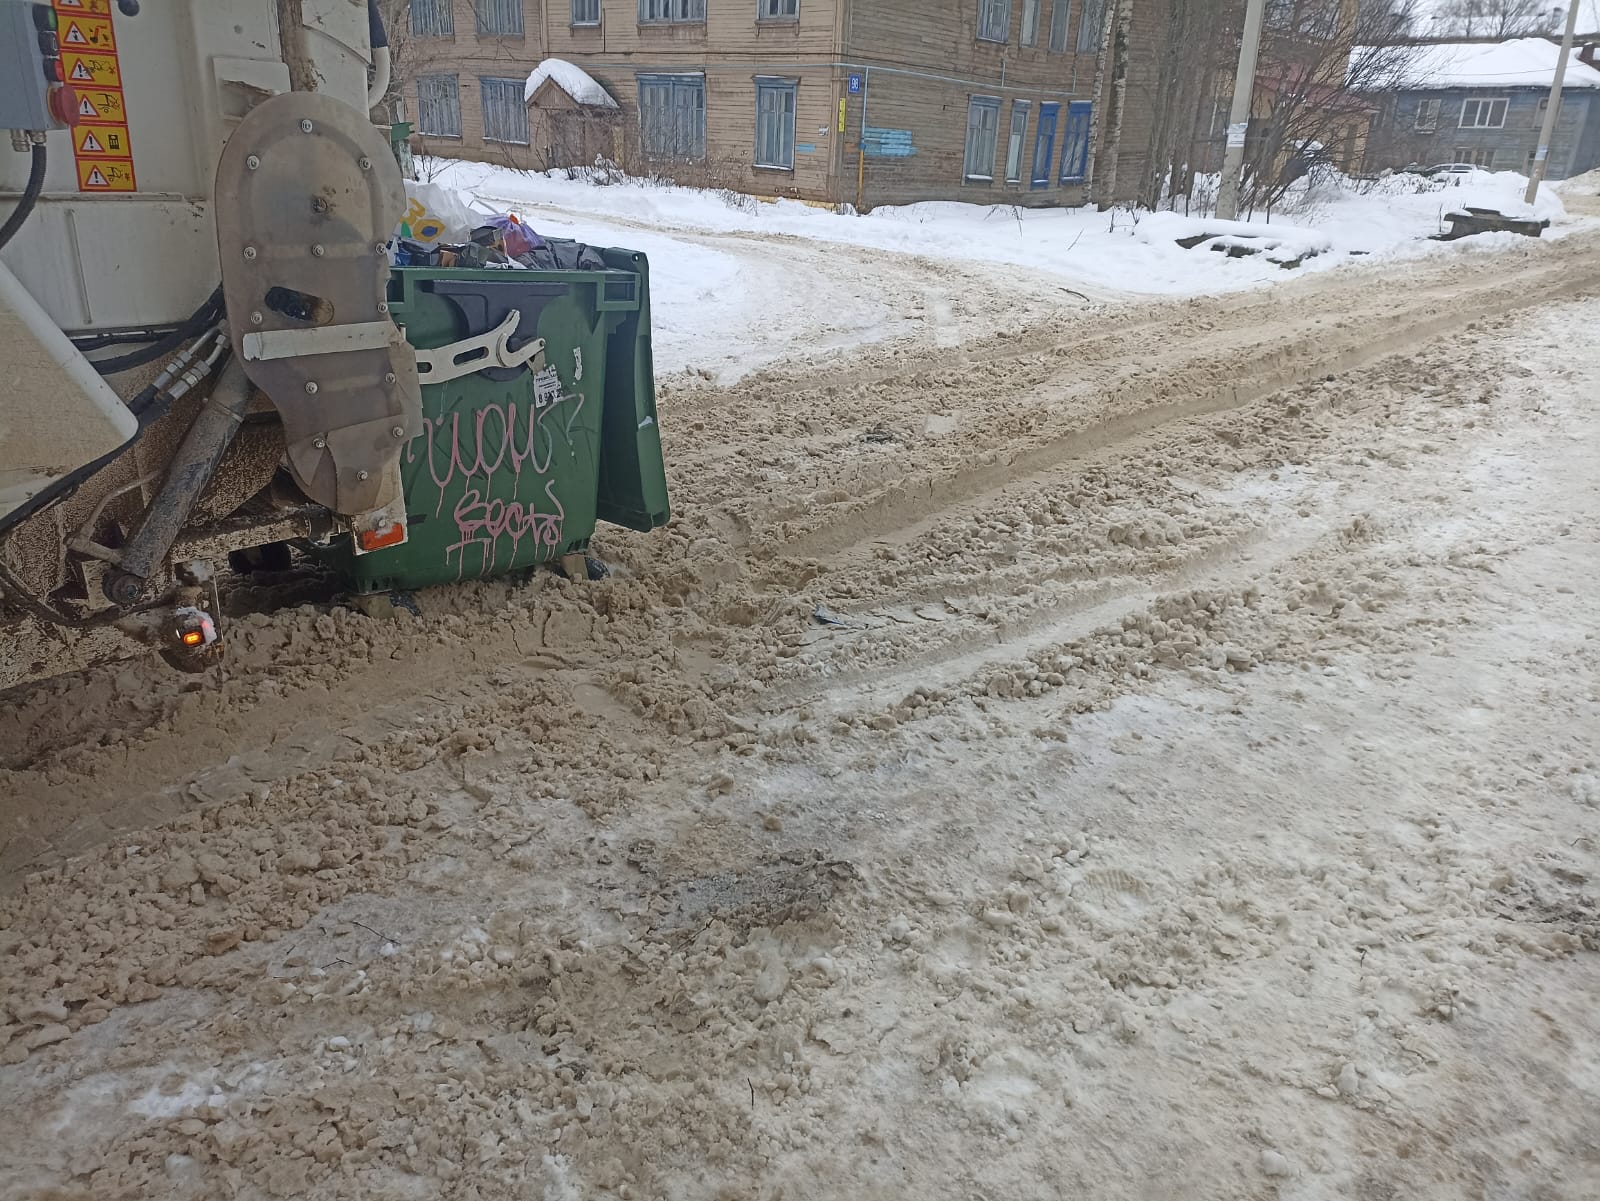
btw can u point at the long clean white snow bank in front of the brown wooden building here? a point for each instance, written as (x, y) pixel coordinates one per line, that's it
(1102, 255)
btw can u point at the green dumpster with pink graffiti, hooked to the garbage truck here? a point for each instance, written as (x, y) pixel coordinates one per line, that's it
(514, 468)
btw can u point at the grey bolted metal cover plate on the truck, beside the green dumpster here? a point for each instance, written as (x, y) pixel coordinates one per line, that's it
(314, 194)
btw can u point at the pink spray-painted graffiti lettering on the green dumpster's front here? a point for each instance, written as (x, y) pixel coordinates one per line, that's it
(471, 450)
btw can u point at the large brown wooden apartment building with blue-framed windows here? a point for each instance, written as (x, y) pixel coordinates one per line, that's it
(881, 102)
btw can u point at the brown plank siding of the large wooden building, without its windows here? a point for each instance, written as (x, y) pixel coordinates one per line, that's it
(926, 65)
